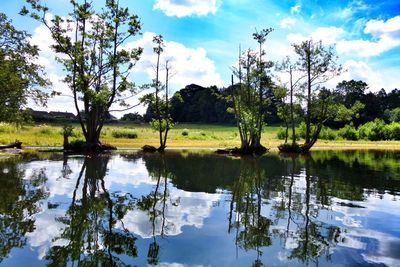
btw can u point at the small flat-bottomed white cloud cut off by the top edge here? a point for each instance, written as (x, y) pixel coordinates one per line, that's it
(182, 8)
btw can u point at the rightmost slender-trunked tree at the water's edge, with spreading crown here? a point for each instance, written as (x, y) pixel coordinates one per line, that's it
(318, 63)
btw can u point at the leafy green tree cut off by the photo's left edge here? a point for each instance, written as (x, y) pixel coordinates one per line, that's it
(20, 78)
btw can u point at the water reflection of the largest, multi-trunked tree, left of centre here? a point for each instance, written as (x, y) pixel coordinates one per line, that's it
(90, 237)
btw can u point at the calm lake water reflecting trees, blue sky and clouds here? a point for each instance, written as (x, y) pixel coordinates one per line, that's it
(184, 209)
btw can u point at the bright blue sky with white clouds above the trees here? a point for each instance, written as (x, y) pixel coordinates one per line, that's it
(202, 38)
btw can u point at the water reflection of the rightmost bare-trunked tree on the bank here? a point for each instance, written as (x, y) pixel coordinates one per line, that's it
(313, 238)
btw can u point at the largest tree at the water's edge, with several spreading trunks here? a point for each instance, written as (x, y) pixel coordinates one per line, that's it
(90, 45)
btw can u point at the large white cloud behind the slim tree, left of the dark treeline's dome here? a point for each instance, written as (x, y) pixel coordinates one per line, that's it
(190, 65)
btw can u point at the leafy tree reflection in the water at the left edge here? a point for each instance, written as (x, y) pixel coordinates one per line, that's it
(19, 201)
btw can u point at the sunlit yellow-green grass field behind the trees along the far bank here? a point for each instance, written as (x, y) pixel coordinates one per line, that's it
(182, 136)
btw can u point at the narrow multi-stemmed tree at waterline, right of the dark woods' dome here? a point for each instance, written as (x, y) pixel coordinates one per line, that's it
(249, 96)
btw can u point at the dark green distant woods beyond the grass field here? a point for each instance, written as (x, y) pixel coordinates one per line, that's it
(197, 104)
